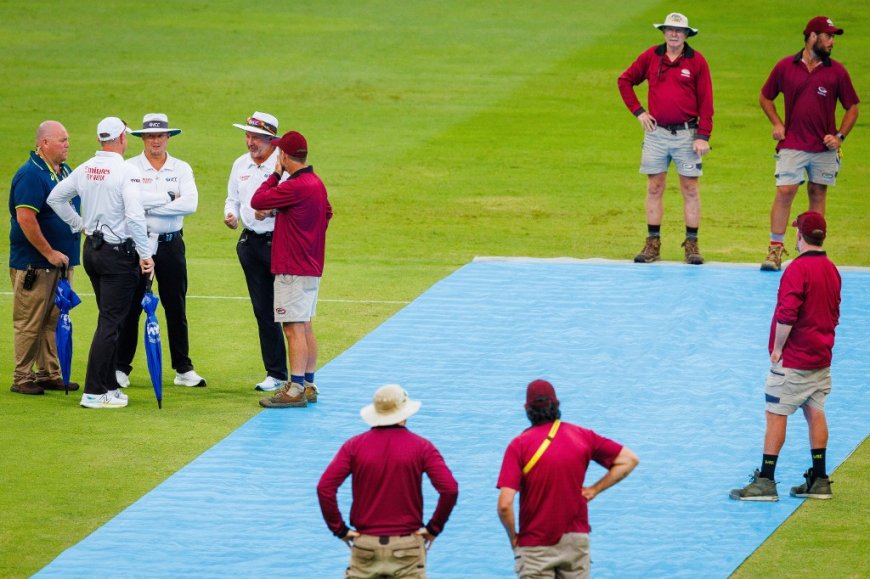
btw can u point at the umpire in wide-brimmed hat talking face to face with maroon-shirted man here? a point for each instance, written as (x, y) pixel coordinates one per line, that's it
(254, 247)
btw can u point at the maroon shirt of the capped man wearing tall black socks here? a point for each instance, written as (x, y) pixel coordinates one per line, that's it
(809, 301)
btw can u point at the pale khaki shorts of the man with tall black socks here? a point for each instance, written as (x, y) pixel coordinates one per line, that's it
(787, 389)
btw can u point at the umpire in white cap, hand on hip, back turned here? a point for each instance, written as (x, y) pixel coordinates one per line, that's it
(116, 252)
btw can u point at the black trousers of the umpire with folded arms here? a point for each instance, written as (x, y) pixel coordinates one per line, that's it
(170, 270)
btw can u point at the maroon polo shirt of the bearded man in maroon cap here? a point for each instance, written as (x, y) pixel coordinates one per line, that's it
(810, 100)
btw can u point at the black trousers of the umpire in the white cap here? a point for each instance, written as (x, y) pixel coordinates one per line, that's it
(114, 275)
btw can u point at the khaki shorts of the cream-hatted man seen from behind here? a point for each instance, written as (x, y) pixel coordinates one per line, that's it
(373, 556)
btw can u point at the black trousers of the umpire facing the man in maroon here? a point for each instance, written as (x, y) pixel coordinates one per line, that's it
(255, 255)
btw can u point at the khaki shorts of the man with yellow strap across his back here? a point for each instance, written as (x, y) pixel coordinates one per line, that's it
(567, 559)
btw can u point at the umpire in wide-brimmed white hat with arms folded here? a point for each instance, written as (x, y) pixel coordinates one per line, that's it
(168, 194)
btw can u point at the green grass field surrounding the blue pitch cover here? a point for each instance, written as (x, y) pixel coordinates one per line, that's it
(443, 130)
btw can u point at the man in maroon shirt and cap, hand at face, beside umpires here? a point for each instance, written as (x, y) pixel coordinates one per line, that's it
(302, 213)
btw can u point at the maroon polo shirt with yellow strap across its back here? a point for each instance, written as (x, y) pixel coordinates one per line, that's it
(551, 498)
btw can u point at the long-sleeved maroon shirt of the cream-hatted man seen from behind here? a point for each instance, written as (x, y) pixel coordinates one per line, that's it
(387, 465)
